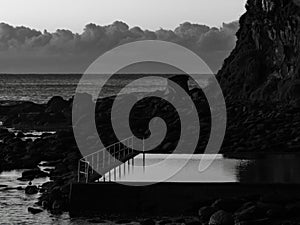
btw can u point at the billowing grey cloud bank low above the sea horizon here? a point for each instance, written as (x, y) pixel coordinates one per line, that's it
(25, 50)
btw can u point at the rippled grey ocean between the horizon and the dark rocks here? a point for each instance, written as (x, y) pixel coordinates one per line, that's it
(40, 88)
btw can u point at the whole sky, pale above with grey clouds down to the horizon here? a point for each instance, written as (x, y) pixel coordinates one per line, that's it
(77, 31)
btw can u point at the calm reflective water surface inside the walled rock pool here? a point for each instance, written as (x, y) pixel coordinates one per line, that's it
(263, 169)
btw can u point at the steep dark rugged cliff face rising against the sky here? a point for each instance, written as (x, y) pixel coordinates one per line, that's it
(265, 64)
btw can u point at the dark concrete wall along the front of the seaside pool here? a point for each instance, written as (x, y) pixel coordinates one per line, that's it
(161, 198)
